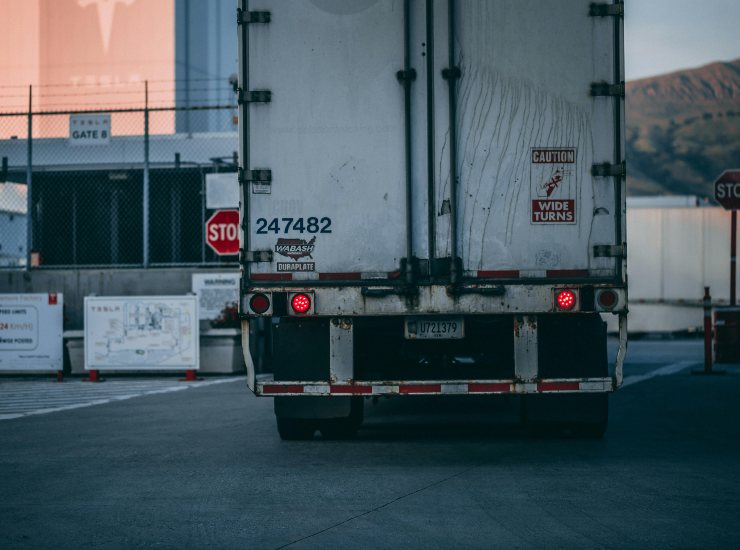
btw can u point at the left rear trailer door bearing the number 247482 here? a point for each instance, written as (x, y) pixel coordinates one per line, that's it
(332, 136)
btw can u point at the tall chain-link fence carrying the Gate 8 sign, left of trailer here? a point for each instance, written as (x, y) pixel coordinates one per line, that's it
(112, 188)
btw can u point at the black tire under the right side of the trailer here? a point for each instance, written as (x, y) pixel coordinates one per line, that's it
(574, 415)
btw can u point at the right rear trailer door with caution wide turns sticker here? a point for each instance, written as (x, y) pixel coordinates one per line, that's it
(528, 133)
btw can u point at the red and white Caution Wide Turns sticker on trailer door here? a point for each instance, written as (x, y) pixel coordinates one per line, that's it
(553, 186)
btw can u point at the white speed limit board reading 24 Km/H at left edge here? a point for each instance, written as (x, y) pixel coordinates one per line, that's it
(31, 328)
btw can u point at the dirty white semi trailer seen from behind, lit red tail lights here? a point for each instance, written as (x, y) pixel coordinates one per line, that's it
(432, 203)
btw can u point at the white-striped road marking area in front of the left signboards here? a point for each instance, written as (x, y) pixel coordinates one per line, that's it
(32, 397)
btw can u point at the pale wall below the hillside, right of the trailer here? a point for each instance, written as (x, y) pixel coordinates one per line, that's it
(673, 254)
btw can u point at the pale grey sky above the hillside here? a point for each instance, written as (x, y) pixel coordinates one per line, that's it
(663, 36)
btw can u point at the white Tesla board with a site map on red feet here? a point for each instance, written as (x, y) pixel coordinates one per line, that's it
(141, 333)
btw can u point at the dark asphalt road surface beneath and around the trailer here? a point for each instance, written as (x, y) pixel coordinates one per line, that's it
(205, 468)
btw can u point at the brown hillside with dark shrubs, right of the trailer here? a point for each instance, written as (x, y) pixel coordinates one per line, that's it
(683, 129)
